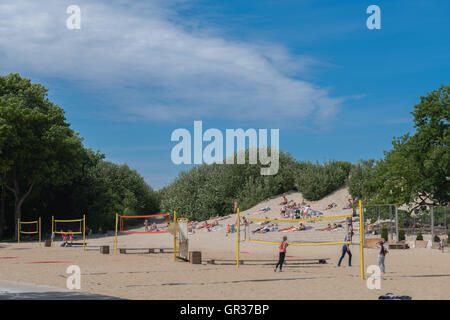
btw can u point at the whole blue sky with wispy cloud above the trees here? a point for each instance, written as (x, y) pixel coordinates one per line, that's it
(137, 70)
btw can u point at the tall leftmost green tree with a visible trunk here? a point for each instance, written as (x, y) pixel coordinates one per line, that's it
(37, 145)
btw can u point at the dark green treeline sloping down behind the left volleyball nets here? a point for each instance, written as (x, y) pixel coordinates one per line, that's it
(46, 171)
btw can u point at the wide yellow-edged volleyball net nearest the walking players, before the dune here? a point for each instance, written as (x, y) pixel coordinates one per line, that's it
(331, 230)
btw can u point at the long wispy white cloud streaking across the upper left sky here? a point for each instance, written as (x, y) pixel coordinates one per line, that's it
(149, 63)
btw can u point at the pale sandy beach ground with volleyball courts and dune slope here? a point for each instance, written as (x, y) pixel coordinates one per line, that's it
(419, 273)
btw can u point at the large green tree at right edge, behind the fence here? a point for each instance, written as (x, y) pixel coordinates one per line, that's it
(417, 169)
